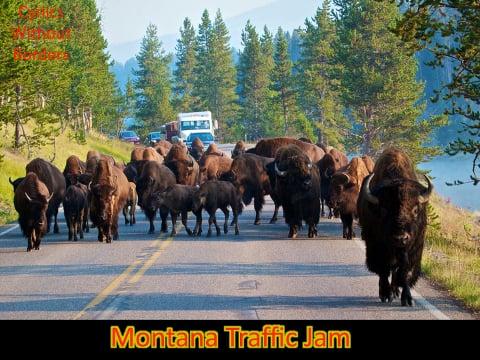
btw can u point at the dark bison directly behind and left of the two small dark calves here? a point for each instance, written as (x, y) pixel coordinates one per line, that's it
(153, 179)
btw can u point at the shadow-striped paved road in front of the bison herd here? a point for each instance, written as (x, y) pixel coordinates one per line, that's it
(258, 275)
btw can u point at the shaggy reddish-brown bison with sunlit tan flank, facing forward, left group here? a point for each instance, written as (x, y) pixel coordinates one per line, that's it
(109, 189)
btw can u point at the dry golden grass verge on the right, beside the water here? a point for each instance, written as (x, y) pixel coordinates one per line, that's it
(452, 253)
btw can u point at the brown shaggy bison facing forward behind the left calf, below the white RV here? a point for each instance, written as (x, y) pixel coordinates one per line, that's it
(183, 165)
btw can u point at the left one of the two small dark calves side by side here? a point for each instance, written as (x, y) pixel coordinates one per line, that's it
(179, 201)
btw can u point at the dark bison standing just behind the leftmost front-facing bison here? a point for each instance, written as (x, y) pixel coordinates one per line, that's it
(55, 183)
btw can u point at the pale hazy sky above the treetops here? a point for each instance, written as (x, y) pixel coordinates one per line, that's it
(126, 20)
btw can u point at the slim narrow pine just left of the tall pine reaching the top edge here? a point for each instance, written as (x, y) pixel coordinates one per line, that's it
(283, 80)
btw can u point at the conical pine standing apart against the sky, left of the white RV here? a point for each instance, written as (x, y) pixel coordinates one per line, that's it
(152, 84)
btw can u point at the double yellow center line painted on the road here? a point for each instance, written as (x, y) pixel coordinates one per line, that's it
(124, 276)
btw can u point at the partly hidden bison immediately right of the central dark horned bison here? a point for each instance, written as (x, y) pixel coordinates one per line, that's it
(328, 166)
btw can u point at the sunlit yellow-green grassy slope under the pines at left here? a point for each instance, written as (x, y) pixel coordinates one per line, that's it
(13, 164)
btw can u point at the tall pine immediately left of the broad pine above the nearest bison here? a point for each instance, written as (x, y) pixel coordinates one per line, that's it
(319, 96)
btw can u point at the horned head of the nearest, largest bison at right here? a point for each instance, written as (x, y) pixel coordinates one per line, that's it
(401, 206)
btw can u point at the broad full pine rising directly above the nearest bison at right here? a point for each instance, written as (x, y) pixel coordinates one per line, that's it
(378, 80)
